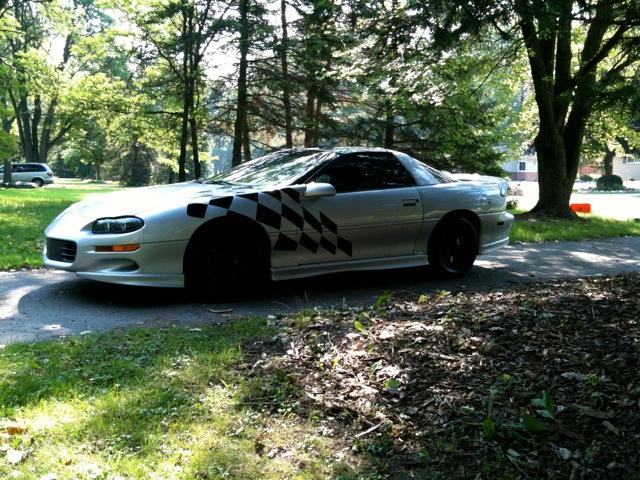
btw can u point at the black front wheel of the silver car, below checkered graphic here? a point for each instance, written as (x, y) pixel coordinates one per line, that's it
(225, 267)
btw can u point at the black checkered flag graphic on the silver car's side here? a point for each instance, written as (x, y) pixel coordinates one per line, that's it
(281, 210)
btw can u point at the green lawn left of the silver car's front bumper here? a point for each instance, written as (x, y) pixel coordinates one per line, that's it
(24, 214)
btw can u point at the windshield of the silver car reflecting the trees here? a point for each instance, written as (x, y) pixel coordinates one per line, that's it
(276, 168)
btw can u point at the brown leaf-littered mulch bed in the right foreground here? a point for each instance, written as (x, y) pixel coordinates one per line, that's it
(534, 382)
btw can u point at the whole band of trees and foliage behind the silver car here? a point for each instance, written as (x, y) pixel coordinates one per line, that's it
(459, 84)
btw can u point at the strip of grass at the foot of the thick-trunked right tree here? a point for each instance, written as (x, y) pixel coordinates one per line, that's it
(568, 230)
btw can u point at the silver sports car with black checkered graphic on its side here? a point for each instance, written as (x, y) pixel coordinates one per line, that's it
(289, 214)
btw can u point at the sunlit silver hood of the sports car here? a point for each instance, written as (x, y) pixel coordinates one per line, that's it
(136, 201)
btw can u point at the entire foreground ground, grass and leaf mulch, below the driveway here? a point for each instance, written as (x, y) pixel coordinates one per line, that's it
(535, 382)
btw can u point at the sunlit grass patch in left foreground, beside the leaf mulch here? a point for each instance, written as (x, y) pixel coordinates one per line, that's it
(156, 403)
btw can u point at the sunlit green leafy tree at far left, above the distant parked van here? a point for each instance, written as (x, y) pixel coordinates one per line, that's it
(34, 84)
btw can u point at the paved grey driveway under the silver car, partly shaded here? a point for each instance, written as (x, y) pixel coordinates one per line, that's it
(42, 304)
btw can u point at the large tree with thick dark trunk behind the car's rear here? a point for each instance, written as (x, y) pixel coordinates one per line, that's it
(566, 42)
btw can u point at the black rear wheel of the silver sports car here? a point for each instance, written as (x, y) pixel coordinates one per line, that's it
(453, 247)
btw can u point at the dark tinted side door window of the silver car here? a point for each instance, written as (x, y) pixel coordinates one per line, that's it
(365, 171)
